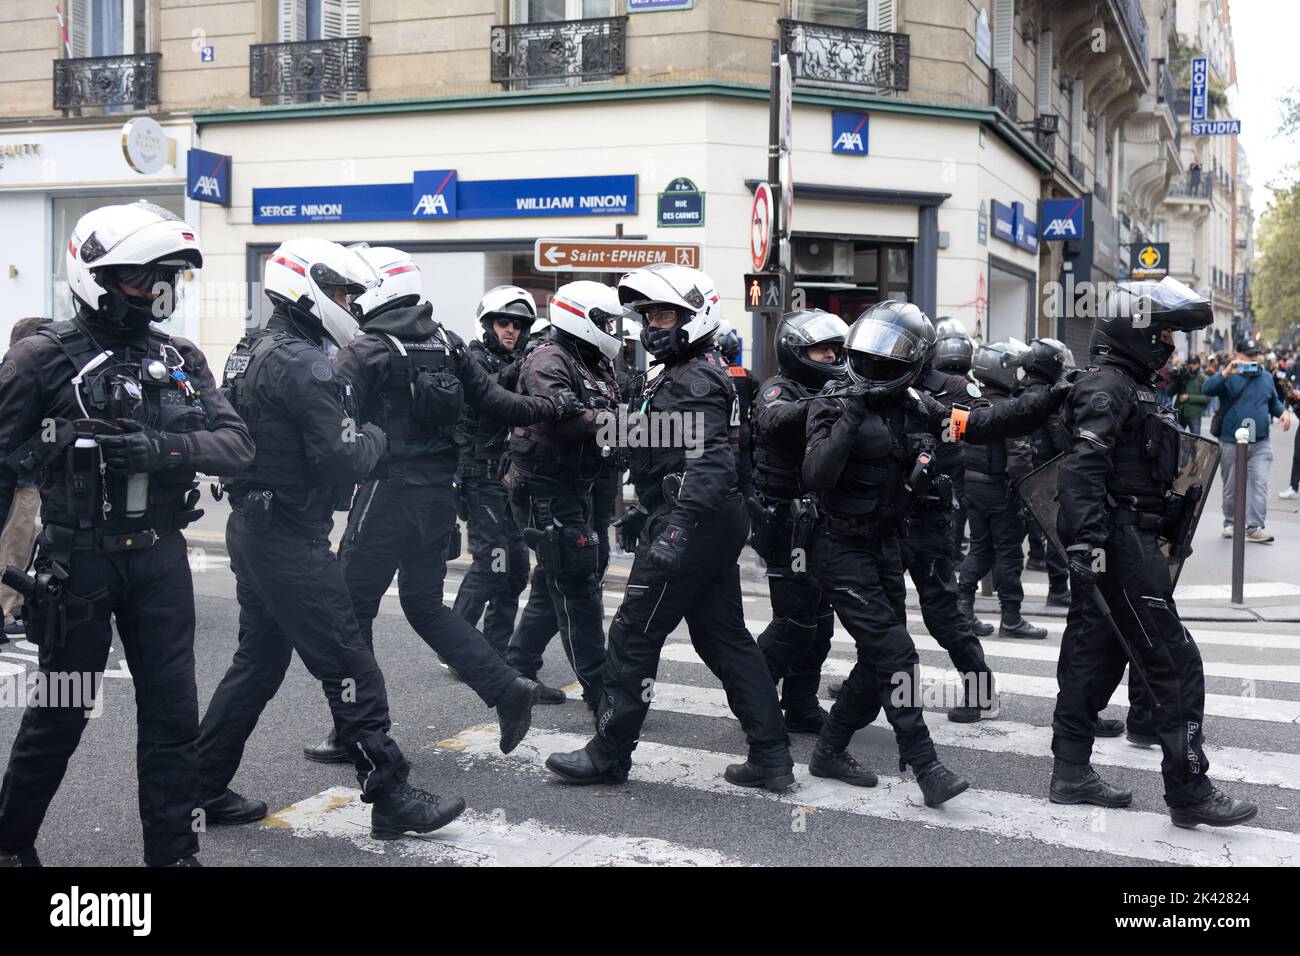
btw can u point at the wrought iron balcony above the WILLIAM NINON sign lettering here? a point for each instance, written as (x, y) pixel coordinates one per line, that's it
(564, 51)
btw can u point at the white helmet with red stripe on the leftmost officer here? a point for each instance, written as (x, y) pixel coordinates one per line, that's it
(141, 245)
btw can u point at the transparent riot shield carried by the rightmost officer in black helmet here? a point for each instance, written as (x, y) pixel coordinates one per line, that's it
(1198, 464)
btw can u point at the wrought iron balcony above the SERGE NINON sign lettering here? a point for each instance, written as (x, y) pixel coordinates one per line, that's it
(309, 70)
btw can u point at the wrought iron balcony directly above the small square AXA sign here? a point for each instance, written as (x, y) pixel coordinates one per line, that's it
(842, 58)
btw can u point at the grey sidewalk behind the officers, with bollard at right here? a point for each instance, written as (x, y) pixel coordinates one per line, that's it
(1204, 591)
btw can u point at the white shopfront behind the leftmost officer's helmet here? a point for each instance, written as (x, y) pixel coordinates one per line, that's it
(90, 165)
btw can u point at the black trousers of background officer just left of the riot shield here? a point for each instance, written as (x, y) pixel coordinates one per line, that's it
(998, 533)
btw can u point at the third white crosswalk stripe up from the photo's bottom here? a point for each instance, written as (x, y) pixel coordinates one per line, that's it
(1260, 768)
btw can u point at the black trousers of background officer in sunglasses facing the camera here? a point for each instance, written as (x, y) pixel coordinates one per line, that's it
(500, 572)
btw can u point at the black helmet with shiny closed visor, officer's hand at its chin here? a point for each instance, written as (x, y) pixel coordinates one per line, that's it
(887, 348)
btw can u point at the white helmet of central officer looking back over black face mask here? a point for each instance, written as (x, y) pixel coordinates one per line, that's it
(688, 292)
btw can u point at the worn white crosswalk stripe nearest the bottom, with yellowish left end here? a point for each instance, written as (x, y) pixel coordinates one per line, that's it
(484, 840)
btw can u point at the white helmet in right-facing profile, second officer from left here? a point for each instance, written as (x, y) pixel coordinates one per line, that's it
(306, 275)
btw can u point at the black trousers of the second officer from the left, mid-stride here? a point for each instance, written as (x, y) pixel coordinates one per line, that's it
(293, 598)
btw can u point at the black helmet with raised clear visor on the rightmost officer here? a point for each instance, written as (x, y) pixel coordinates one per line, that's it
(1134, 317)
